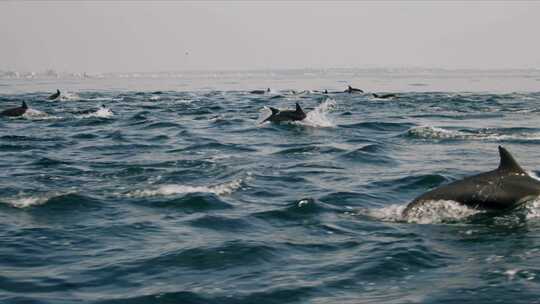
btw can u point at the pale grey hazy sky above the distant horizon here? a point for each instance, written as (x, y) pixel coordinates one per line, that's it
(101, 36)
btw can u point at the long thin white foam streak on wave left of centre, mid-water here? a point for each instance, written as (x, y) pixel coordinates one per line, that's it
(165, 190)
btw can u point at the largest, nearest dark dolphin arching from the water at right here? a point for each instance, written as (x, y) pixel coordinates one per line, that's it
(506, 187)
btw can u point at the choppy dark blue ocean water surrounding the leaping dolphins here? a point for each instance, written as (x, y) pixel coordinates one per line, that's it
(164, 188)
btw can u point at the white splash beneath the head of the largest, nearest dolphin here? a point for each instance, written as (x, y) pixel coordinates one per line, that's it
(442, 211)
